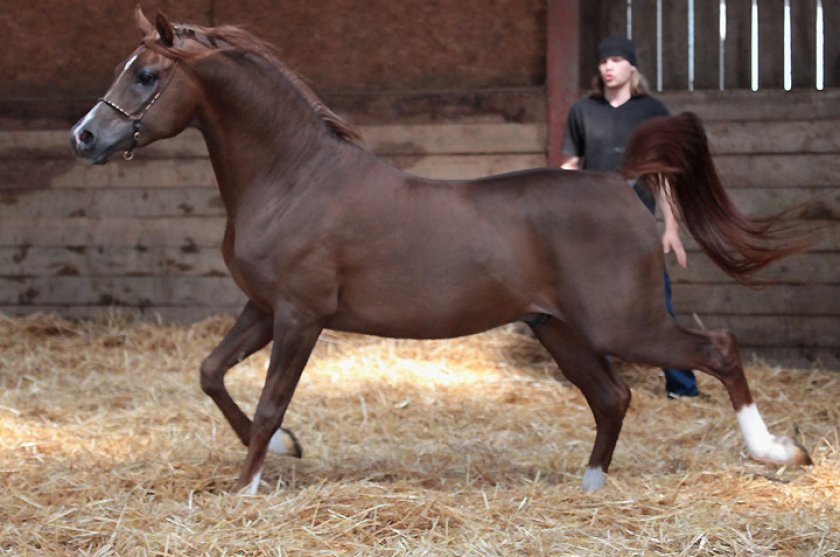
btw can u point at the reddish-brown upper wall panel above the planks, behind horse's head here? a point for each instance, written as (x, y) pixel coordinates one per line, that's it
(57, 57)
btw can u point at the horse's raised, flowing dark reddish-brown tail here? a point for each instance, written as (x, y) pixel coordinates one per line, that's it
(675, 148)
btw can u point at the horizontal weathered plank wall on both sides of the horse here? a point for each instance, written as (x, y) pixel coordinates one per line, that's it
(144, 235)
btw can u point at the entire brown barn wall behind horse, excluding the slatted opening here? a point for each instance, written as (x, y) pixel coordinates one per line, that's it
(438, 98)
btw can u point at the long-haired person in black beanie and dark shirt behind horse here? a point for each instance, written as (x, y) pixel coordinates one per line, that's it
(597, 131)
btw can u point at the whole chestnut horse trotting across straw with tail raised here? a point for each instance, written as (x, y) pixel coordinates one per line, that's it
(321, 233)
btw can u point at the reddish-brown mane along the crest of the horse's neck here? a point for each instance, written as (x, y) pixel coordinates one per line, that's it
(231, 38)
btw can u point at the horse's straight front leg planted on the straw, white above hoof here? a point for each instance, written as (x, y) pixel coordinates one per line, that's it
(293, 343)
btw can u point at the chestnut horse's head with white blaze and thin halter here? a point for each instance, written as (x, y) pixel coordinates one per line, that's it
(151, 98)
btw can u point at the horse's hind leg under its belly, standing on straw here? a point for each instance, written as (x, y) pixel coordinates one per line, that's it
(607, 394)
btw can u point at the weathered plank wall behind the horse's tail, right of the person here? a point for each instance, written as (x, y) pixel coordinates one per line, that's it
(773, 150)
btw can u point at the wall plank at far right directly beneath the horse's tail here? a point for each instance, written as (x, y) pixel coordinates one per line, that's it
(808, 299)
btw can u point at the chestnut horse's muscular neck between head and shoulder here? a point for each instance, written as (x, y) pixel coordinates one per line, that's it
(258, 129)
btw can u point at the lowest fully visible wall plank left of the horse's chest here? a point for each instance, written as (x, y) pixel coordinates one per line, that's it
(121, 291)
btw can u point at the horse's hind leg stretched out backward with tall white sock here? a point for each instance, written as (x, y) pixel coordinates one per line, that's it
(716, 353)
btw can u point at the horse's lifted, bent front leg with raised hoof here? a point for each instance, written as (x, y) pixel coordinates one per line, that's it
(252, 330)
